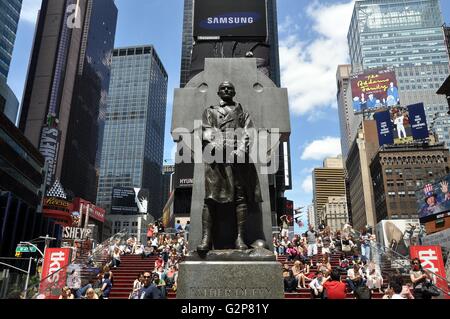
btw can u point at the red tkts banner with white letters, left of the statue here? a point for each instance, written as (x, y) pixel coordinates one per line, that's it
(55, 259)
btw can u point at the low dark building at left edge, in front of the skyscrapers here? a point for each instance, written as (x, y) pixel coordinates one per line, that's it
(22, 176)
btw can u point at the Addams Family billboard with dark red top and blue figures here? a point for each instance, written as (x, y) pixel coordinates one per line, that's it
(374, 89)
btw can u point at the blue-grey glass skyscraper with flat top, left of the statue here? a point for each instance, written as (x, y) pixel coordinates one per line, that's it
(133, 145)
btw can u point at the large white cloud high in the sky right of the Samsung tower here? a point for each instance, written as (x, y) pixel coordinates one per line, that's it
(308, 69)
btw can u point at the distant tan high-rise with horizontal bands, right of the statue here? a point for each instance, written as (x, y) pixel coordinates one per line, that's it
(328, 181)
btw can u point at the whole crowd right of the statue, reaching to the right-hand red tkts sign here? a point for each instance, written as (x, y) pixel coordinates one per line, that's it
(356, 272)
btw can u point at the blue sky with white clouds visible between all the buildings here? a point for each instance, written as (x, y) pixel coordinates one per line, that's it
(312, 44)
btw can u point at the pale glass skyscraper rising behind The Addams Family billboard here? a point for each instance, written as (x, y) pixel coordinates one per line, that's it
(407, 36)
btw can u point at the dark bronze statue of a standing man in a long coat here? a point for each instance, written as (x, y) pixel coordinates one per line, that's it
(229, 181)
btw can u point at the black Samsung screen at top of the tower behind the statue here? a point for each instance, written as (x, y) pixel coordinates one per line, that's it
(214, 19)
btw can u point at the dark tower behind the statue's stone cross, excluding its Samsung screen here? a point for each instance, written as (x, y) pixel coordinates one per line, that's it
(192, 61)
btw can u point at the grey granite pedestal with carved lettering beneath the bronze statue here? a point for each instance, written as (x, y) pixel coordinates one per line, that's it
(230, 280)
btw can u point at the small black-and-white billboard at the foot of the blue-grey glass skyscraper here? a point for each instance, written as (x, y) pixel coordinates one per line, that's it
(129, 201)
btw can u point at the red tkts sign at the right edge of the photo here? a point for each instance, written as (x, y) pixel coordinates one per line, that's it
(431, 259)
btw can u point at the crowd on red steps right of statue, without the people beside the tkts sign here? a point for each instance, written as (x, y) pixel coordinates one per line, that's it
(315, 272)
